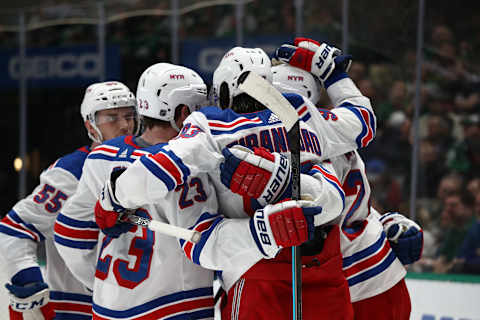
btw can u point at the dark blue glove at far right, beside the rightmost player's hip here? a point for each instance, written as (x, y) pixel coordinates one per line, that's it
(405, 236)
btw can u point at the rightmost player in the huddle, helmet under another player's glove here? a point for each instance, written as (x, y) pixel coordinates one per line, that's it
(375, 274)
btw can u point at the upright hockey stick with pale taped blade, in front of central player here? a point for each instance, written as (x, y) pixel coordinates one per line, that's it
(264, 92)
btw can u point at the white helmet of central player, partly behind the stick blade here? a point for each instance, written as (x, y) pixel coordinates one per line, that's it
(236, 61)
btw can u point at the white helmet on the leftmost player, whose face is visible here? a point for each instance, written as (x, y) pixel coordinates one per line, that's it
(103, 96)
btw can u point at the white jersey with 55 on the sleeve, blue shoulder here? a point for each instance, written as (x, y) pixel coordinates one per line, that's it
(31, 220)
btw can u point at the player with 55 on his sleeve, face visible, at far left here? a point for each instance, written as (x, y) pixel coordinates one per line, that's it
(108, 110)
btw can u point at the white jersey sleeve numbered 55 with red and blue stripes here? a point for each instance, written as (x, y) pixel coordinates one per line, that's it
(31, 219)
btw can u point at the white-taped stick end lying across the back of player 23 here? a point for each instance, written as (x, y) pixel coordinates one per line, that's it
(165, 228)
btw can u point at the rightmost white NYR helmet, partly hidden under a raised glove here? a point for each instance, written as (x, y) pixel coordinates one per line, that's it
(288, 79)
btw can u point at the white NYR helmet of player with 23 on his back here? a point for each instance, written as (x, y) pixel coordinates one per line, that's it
(162, 87)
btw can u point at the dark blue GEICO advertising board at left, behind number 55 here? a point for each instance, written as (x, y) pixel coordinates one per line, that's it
(59, 67)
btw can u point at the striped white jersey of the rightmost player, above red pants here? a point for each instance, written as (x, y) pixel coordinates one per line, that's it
(369, 264)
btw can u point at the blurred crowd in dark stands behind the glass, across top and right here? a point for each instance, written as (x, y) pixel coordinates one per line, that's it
(448, 197)
